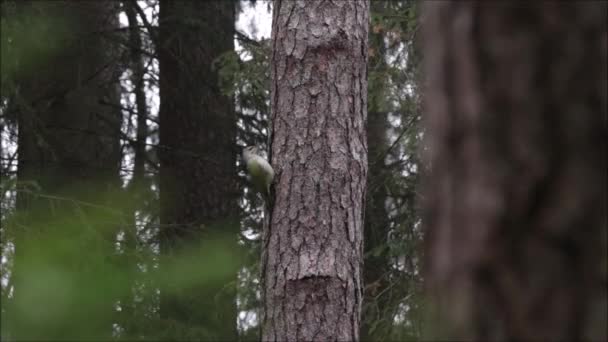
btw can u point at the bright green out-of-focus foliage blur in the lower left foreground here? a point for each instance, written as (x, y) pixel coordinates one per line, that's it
(72, 268)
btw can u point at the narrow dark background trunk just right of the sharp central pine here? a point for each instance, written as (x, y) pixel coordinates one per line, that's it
(376, 316)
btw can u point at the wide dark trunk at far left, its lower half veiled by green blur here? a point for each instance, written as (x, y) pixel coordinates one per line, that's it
(69, 146)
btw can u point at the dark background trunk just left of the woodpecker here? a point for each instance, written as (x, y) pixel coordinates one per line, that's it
(198, 180)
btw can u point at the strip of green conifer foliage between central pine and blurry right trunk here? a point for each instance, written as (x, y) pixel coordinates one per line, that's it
(393, 307)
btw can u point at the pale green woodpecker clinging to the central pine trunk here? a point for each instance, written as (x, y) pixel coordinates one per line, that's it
(260, 171)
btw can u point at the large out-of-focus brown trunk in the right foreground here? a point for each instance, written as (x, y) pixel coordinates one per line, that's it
(516, 199)
